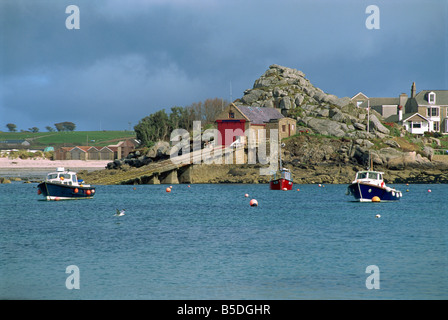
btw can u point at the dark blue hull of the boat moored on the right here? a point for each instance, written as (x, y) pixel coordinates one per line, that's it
(365, 192)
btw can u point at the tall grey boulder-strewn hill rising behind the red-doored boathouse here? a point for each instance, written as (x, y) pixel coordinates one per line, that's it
(289, 90)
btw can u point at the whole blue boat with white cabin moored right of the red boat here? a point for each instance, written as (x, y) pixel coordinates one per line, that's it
(369, 186)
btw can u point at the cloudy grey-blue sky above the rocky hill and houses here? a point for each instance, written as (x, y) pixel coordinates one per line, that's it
(131, 58)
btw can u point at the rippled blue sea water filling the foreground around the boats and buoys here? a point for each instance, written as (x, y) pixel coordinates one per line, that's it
(206, 242)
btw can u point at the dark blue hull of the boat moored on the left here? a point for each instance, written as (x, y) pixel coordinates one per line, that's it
(58, 191)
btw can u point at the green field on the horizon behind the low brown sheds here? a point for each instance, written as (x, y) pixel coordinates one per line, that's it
(41, 140)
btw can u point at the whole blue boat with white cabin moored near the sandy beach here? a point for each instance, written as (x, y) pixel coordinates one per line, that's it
(64, 185)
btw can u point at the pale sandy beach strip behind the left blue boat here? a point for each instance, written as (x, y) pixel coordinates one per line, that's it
(38, 168)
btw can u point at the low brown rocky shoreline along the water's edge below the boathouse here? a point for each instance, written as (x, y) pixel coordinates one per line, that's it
(312, 159)
